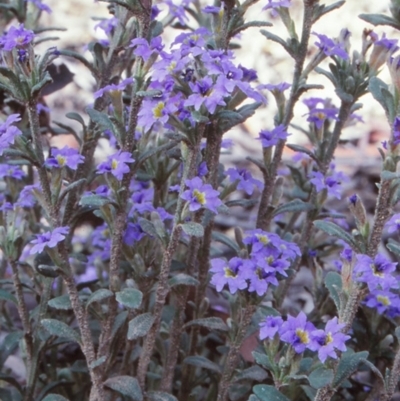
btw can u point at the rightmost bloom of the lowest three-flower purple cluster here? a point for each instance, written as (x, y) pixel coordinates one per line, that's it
(330, 339)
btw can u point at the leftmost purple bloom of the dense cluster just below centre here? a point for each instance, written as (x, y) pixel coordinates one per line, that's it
(233, 273)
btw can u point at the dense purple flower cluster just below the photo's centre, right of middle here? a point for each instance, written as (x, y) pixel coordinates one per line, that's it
(270, 256)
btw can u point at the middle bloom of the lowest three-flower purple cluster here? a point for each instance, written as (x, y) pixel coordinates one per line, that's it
(297, 332)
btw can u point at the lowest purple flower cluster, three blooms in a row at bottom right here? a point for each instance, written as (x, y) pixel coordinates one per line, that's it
(302, 334)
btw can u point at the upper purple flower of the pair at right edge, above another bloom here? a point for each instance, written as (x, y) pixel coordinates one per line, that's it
(376, 273)
